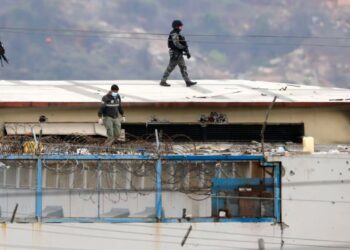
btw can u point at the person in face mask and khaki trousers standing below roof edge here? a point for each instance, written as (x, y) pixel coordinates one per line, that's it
(111, 106)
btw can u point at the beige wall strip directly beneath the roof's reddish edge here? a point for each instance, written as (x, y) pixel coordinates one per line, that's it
(326, 125)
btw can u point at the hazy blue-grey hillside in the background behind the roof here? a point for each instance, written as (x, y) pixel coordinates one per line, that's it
(274, 40)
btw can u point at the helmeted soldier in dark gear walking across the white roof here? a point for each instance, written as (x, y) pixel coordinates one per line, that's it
(177, 47)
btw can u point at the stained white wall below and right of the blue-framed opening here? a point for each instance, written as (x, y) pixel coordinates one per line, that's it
(315, 214)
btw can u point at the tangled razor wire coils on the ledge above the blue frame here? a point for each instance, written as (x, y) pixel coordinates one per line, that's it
(85, 145)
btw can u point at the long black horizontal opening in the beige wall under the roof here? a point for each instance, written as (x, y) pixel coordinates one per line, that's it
(222, 132)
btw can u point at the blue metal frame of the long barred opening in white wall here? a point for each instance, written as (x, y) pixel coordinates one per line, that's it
(158, 200)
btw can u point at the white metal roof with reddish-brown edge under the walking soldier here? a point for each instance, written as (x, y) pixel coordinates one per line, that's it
(142, 93)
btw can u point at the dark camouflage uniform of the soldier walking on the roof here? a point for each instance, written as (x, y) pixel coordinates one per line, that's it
(177, 45)
